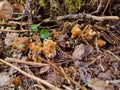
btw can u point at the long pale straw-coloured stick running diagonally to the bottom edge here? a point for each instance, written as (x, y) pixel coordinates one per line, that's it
(31, 76)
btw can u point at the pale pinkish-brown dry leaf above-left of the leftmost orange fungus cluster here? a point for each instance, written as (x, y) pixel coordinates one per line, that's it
(10, 38)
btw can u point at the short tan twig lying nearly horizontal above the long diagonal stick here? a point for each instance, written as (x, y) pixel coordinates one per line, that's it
(25, 62)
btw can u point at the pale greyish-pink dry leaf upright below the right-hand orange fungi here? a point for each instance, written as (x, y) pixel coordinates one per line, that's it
(78, 52)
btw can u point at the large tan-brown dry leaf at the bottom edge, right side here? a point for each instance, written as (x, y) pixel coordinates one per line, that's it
(98, 84)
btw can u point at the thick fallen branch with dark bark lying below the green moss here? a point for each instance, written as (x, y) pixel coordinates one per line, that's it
(80, 16)
